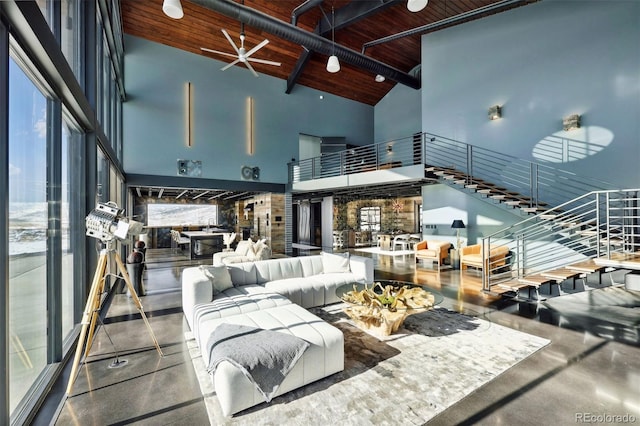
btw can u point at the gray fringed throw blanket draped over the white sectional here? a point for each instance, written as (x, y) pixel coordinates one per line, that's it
(264, 356)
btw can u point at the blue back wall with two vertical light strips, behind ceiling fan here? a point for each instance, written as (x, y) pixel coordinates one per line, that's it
(154, 115)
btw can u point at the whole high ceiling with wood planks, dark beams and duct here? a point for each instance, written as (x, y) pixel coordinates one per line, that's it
(371, 37)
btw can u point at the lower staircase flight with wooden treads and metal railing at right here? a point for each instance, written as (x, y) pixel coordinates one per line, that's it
(588, 234)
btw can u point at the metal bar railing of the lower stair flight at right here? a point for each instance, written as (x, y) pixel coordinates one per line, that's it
(597, 224)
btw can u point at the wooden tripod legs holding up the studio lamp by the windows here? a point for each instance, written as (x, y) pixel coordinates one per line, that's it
(92, 308)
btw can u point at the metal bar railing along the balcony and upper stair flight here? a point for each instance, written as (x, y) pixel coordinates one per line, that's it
(537, 184)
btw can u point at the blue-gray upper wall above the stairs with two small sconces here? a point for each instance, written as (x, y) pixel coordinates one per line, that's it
(542, 62)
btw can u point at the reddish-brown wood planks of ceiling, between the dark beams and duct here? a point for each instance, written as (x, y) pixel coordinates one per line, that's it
(201, 27)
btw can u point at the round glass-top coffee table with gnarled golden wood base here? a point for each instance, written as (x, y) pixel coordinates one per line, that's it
(382, 307)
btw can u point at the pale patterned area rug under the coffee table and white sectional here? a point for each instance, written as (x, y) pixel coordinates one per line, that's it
(436, 359)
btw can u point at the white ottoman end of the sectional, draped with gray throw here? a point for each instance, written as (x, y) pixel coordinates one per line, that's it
(325, 355)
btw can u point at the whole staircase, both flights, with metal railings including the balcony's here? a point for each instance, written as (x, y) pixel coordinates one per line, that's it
(573, 225)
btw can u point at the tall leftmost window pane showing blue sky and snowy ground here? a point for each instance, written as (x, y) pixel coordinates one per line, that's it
(27, 233)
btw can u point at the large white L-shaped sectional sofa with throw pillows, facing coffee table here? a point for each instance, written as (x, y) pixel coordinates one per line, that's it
(271, 294)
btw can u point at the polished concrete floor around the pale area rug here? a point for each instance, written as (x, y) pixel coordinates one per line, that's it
(579, 377)
